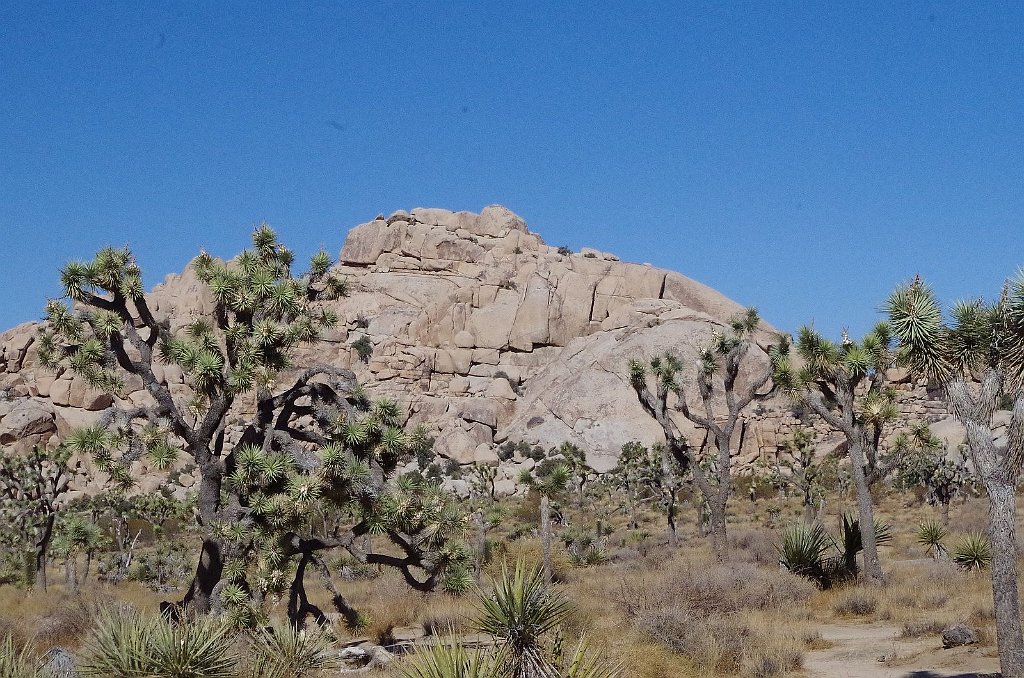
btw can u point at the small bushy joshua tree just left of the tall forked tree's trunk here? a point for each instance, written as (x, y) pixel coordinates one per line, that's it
(643, 474)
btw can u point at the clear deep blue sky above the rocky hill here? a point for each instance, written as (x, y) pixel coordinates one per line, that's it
(800, 157)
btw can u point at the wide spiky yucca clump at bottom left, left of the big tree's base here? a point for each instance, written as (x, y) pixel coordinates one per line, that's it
(127, 645)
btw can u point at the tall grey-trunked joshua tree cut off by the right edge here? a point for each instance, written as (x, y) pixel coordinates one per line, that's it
(978, 358)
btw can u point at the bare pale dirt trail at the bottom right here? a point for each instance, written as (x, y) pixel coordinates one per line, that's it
(858, 649)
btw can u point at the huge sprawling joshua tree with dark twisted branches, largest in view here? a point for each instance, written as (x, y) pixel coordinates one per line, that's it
(317, 444)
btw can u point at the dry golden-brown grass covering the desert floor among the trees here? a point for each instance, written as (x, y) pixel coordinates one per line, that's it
(670, 614)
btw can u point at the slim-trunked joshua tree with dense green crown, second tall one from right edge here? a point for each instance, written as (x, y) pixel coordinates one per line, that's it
(845, 384)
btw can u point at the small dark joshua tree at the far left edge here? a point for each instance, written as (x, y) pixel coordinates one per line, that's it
(32, 489)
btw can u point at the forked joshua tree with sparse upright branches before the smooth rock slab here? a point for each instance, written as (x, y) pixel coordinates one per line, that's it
(717, 374)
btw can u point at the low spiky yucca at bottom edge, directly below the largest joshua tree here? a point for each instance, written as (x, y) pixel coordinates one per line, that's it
(284, 652)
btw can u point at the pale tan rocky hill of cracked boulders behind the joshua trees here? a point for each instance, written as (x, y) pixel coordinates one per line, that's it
(482, 330)
